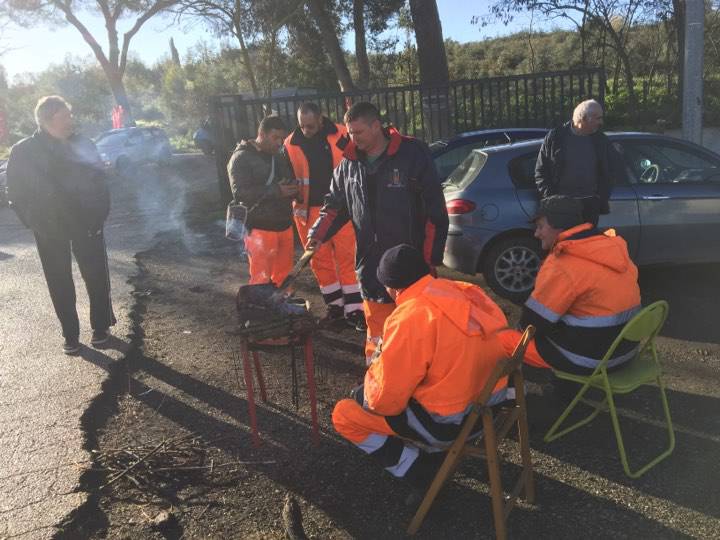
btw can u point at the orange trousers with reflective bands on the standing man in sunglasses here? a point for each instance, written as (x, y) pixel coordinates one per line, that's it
(334, 264)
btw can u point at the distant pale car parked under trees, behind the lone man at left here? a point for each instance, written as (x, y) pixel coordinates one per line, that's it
(121, 148)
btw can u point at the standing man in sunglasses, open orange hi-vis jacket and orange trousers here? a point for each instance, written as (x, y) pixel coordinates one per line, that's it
(315, 148)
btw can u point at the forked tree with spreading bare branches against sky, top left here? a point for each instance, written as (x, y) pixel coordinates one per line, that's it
(113, 63)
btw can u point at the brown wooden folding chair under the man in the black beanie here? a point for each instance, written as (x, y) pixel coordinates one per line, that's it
(461, 447)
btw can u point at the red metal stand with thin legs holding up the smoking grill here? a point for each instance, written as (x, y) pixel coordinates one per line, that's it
(250, 348)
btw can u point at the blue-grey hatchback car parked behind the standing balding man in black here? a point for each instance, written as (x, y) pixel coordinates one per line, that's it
(667, 208)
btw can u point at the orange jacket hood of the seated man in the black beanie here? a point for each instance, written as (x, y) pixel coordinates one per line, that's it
(464, 304)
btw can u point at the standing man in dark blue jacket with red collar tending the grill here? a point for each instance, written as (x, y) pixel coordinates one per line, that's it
(387, 186)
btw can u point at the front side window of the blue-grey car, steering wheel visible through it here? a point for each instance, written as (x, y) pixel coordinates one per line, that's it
(665, 162)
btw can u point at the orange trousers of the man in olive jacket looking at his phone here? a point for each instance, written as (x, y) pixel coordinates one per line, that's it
(270, 254)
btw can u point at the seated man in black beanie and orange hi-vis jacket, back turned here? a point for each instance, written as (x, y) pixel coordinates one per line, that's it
(440, 345)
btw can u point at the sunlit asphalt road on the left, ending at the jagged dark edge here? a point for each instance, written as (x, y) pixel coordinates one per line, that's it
(46, 397)
